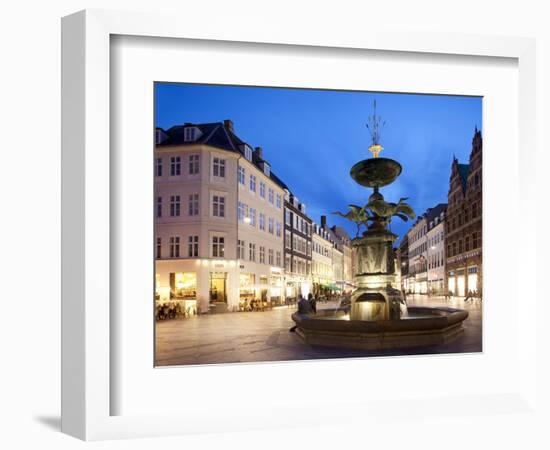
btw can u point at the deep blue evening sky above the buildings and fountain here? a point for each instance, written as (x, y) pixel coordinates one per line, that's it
(312, 138)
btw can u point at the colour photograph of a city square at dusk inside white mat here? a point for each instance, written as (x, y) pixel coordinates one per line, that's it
(301, 224)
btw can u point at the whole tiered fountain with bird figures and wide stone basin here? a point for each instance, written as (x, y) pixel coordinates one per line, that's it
(378, 317)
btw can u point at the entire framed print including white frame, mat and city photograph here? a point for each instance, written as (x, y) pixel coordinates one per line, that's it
(252, 219)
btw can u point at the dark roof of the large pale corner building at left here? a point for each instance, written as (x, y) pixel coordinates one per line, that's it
(217, 134)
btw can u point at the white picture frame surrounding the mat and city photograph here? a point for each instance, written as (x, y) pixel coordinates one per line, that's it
(87, 353)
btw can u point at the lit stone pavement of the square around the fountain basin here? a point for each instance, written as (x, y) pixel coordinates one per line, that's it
(264, 336)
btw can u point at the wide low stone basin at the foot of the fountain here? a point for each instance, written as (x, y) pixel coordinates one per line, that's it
(424, 326)
